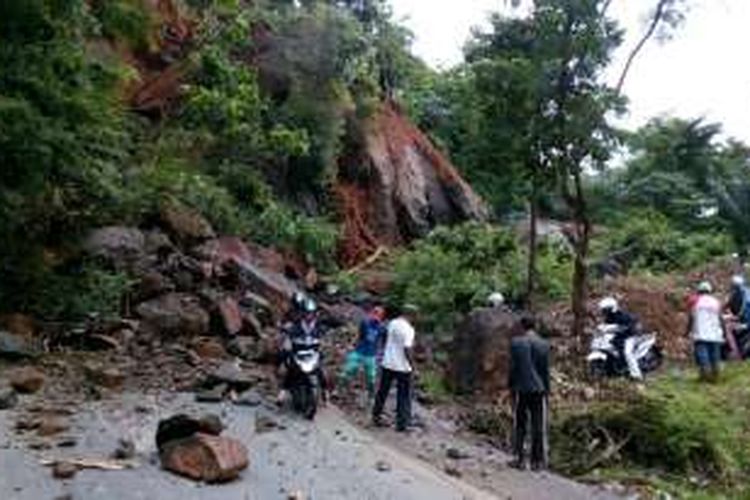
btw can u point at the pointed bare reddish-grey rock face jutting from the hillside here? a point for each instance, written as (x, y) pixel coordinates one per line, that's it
(410, 188)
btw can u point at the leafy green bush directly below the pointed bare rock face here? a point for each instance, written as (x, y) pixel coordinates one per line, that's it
(455, 269)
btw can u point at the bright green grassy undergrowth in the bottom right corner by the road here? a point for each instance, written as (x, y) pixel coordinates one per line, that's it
(678, 427)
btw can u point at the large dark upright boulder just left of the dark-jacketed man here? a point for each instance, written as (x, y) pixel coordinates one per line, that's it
(480, 352)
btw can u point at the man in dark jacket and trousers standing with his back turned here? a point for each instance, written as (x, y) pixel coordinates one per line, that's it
(528, 380)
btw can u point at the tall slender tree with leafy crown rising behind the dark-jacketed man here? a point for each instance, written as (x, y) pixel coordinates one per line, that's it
(566, 46)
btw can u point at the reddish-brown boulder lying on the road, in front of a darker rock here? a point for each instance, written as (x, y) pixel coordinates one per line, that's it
(203, 457)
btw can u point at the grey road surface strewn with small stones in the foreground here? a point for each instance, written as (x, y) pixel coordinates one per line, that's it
(330, 459)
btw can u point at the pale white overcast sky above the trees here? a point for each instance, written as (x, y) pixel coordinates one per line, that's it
(703, 71)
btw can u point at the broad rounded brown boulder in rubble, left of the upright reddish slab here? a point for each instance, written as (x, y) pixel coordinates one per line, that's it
(174, 314)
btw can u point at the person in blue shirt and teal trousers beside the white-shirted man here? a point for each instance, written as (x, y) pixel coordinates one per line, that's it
(371, 333)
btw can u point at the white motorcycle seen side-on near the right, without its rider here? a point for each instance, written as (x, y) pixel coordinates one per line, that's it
(606, 360)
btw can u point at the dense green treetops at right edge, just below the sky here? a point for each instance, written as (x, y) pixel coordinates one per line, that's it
(680, 170)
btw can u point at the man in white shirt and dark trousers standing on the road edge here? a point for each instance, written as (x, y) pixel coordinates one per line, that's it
(397, 365)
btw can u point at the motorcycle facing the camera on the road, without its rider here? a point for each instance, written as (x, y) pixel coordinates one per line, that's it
(303, 365)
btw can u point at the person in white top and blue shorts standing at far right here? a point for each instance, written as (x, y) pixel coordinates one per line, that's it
(706, 327)
